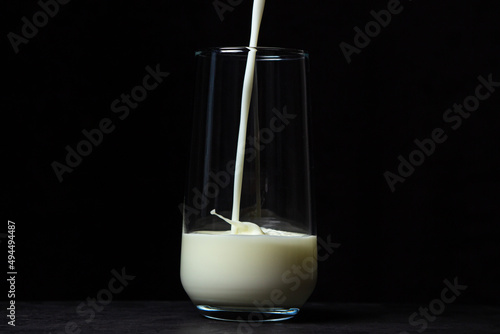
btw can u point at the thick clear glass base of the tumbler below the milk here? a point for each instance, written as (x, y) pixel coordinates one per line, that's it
(242, 314)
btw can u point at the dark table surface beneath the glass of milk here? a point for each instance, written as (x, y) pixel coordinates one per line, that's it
(161, 317)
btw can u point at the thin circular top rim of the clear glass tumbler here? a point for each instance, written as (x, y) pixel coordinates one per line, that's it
(262, 51)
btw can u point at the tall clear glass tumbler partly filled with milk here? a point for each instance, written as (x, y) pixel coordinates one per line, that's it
(242, 277)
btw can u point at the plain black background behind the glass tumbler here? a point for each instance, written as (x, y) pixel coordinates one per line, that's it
(119, 207)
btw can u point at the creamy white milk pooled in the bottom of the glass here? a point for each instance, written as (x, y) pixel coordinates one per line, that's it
(266, 271)
